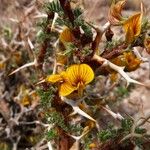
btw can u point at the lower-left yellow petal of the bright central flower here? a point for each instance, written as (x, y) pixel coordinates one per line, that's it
(66, 89)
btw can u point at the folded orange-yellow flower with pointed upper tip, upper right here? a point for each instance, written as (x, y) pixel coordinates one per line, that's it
(132, 27)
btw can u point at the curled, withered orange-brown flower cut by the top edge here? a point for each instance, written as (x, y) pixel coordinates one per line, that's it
(114, 15)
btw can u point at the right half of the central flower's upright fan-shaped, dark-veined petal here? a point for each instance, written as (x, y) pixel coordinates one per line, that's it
(86, 73)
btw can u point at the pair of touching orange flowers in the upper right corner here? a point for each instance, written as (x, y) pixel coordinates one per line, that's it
(131, 25)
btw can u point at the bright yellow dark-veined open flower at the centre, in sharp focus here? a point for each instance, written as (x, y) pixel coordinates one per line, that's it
(76, 77)
